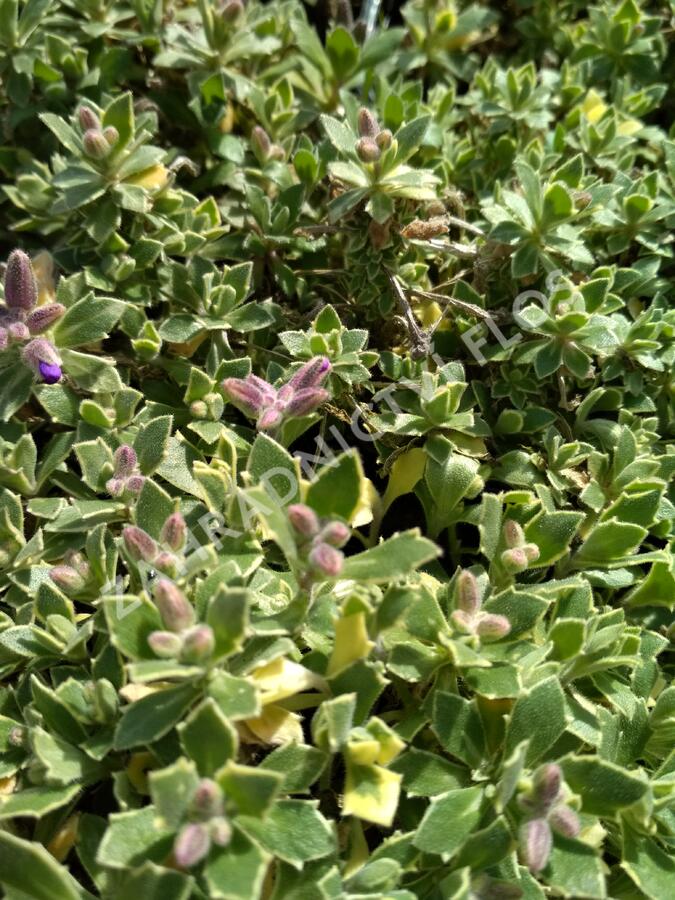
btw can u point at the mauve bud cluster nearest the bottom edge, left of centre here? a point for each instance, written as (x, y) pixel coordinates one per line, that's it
(208, 825)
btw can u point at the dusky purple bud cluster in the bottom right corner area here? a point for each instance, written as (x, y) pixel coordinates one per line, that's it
(545, 810)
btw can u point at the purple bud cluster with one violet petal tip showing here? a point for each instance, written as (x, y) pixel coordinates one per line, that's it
(21, 319)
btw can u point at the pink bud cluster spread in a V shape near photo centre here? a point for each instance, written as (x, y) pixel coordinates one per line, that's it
(270, 406)
